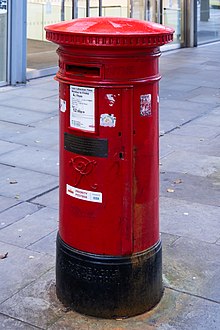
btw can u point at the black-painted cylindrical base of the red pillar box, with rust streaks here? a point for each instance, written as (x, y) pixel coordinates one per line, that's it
(109, 286)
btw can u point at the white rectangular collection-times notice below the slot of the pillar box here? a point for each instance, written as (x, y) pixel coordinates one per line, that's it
(82, 108)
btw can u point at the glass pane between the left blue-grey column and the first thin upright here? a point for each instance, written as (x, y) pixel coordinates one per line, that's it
(41, 54)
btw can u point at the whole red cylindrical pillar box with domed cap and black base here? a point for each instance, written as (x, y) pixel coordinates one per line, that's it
(108, 247)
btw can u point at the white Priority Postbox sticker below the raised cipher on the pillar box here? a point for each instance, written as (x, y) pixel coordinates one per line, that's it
(86, 195)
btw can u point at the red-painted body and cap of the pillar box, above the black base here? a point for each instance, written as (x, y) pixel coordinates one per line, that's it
(125, 82)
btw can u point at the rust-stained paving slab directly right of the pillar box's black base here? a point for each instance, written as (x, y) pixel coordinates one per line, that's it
(193, 267)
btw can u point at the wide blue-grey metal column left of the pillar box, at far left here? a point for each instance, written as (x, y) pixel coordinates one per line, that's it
(18, 45)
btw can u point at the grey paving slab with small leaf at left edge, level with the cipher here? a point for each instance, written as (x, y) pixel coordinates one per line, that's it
(26, 184)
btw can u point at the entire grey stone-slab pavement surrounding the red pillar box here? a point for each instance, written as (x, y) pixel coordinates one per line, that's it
(189, 203)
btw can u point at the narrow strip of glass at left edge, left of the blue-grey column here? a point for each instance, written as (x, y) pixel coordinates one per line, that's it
(3, 41)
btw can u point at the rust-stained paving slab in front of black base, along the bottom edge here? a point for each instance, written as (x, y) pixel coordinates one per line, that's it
(175, 311)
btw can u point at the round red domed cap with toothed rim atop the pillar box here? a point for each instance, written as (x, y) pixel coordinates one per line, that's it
(109, 32)
